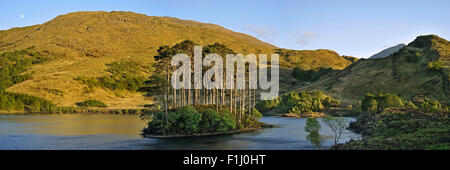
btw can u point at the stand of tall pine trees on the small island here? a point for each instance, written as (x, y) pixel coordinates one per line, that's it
(239, 101)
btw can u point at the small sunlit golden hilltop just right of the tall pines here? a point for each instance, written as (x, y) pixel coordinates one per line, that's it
(313, 59)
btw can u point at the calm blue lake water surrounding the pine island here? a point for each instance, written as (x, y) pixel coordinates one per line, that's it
(121, 132)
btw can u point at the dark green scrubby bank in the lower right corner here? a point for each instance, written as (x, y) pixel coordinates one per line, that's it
(404, 129)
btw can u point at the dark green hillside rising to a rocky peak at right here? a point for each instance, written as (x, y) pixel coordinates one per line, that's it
(419, 69)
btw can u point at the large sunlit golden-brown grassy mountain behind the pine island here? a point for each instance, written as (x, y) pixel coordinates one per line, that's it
(83, 46)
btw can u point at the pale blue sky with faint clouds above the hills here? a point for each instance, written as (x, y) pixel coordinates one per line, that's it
(357, 28)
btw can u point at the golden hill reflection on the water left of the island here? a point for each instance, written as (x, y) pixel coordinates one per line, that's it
(72, 124)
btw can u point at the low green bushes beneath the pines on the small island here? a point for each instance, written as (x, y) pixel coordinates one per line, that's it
(192, 120)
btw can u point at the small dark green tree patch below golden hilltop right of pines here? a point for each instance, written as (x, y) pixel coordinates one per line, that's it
(310, 75)
